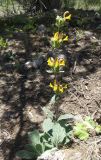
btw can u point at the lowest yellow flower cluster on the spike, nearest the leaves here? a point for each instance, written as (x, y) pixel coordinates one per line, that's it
(57, 87)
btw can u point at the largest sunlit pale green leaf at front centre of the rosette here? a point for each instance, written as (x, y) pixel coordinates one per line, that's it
(58, 134)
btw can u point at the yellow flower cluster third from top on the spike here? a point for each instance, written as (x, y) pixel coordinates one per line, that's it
(56, 62)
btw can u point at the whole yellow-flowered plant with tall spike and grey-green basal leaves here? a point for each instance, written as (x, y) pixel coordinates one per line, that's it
(56, 132)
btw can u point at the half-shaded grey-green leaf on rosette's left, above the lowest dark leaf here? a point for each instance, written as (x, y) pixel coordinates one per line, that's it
(34, 137)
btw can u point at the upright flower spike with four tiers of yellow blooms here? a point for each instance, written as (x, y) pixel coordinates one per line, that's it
(57, 64)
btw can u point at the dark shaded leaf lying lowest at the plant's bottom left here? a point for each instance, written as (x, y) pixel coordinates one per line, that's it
(25, 154)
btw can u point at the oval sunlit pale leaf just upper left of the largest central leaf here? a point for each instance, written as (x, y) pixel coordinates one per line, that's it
(47, 125)
